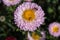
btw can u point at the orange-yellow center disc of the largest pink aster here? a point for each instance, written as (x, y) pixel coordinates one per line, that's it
(29, 15)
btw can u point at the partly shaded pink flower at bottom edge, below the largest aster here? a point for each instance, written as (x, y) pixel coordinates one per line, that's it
(35, 36)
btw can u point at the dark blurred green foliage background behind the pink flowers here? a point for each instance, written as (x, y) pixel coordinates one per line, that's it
(7, 26)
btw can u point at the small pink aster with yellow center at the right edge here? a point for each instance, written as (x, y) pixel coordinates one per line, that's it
(54, 29)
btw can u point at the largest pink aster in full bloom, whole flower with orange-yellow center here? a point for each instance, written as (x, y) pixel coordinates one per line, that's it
(29, 16)
